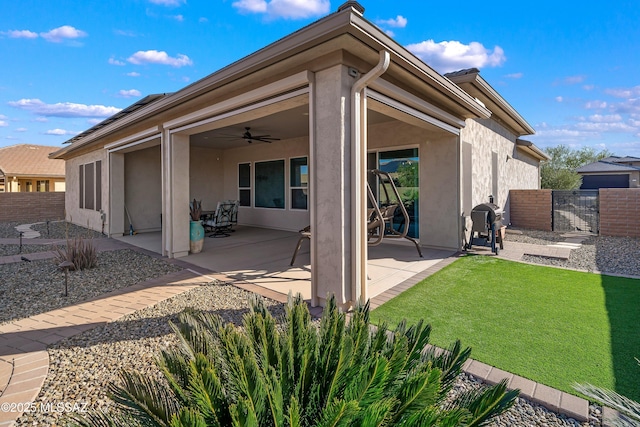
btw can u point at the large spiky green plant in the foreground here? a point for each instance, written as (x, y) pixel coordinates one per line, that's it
(302, 374)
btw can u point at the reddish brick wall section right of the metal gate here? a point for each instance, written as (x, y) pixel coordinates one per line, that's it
(620, 212)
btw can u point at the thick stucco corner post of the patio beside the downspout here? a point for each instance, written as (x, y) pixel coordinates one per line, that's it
(331, 162)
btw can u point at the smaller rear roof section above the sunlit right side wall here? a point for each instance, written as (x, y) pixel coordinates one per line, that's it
(472, 83)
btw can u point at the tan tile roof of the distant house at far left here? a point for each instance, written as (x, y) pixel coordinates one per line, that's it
(28, 160)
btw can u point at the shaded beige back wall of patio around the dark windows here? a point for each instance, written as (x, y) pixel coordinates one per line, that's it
(282, 219)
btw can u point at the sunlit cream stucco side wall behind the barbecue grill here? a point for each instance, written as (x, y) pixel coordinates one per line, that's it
(515, 170)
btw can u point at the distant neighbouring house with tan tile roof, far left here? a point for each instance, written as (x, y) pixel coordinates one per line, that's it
(28, 168)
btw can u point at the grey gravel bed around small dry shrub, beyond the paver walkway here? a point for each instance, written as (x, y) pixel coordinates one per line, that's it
(30, 288)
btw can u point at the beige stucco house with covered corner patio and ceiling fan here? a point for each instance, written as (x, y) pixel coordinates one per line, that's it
(341, 97)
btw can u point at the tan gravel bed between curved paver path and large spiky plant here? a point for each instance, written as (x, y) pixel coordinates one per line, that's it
(82, 367)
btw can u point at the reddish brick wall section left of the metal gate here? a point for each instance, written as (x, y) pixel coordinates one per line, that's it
(531, 209)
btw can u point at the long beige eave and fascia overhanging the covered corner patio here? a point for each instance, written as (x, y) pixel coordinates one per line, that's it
(345, 31)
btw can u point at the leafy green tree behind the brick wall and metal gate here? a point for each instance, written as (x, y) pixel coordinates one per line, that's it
(559, 173)
